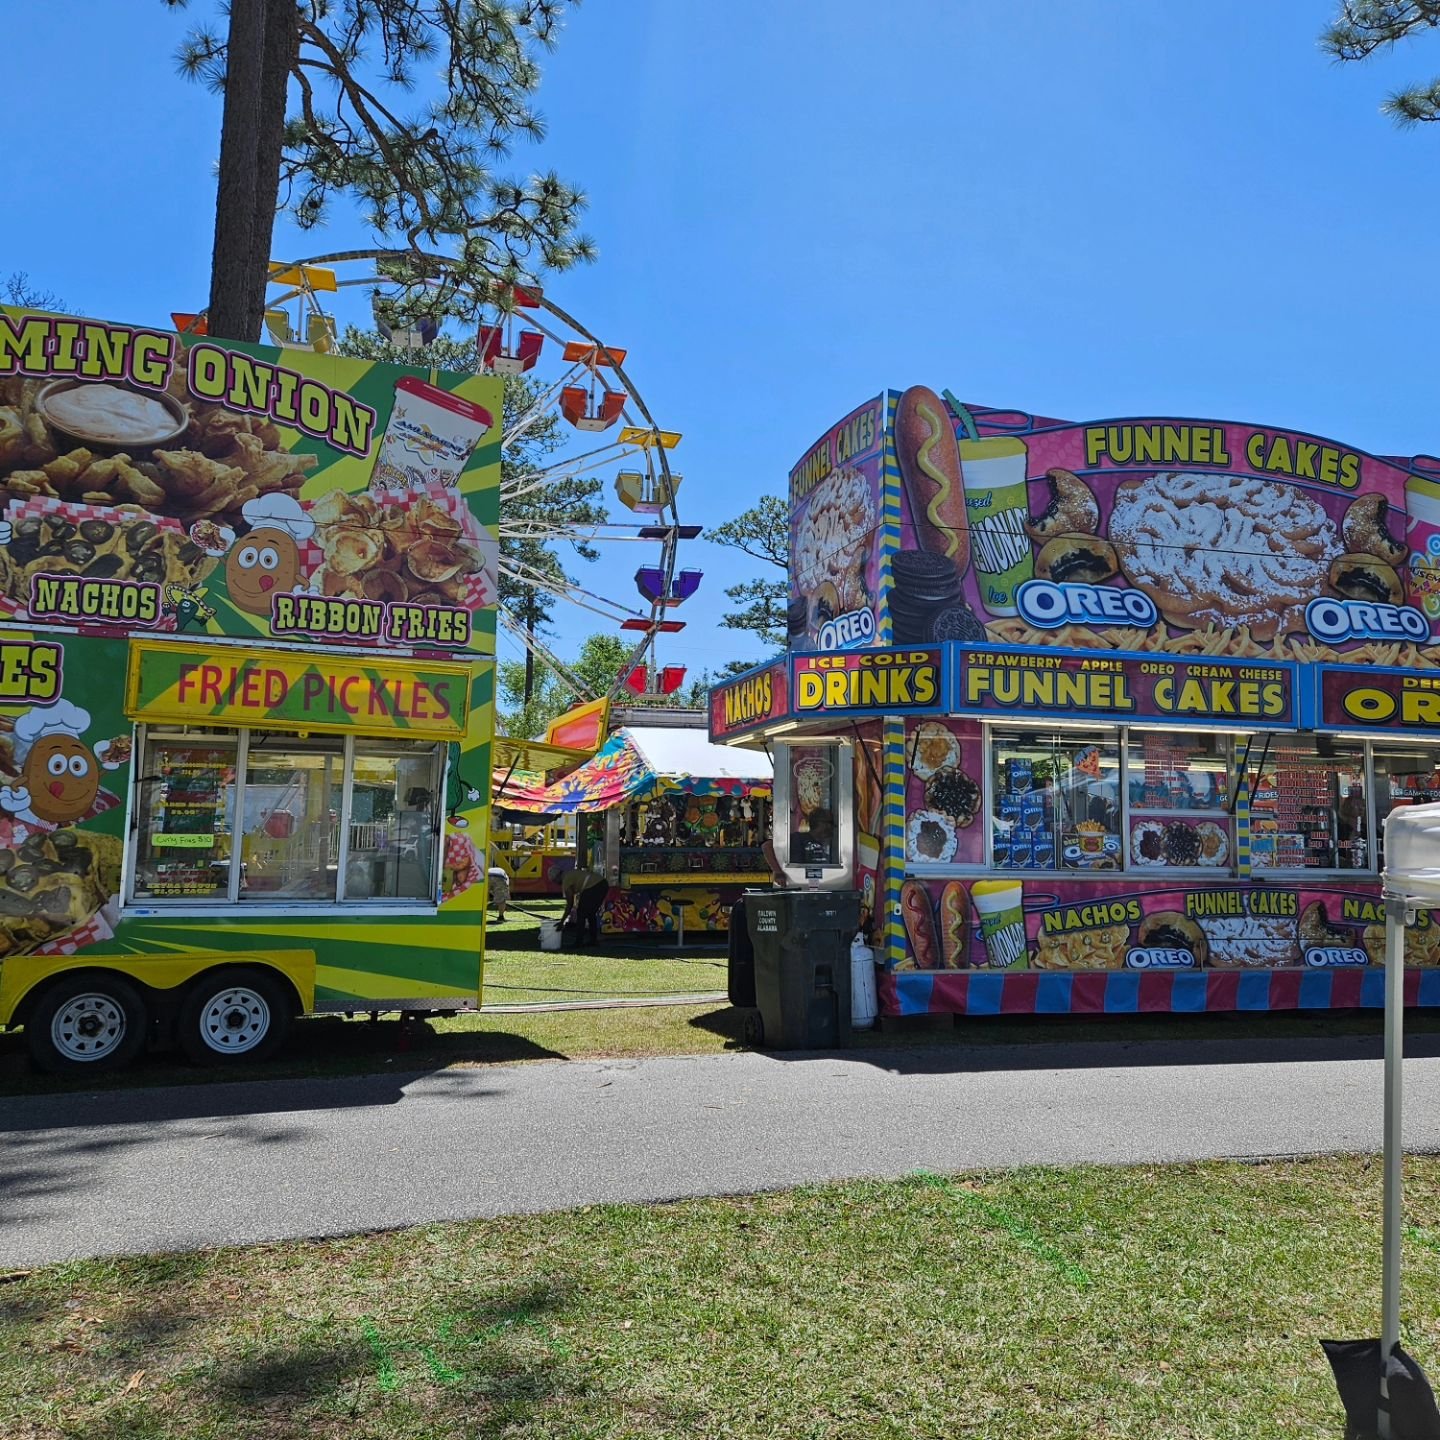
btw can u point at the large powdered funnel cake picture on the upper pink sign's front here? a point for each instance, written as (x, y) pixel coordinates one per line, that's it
(1225, 551)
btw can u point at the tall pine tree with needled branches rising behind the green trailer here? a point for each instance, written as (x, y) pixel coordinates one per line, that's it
(423, 175)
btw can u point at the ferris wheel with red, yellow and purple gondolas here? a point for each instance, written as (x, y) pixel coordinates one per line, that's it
(580, 397)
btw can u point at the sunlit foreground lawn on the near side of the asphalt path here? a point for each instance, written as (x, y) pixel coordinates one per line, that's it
(1148, 1304)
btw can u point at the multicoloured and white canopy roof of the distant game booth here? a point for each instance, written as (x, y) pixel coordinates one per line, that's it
(639, 762)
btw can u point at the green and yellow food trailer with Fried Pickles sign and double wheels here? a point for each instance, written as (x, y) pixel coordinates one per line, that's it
(247, 689)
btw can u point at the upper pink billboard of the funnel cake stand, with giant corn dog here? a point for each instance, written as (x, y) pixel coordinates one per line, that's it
(1182, 538)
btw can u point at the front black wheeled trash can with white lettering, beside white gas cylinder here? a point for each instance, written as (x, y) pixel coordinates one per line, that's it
(801, 942)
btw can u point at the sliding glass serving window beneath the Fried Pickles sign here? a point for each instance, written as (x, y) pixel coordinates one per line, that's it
(261, 817)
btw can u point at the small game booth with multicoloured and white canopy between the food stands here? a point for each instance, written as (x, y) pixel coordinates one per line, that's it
(675, 823)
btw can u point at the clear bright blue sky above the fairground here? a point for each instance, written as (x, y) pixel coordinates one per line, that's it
(1081, 208)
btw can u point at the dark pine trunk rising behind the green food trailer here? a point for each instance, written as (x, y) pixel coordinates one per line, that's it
(234, 313)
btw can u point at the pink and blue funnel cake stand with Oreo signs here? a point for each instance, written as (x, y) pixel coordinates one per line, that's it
(1122, 708)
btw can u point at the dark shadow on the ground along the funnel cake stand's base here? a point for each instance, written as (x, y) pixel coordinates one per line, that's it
(944, 1045)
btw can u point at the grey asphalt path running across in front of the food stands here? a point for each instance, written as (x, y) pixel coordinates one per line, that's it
(133, 1171)
